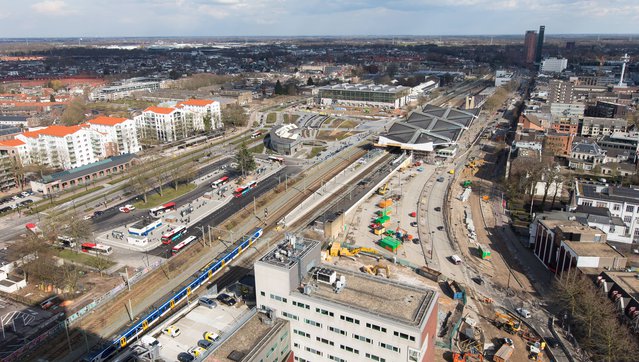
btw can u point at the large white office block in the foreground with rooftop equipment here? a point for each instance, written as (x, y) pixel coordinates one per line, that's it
(341, 315)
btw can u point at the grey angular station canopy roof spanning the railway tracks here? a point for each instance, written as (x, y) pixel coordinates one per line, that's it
(429, 128)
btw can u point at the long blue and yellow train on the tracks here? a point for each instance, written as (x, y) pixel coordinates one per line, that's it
(143, 325)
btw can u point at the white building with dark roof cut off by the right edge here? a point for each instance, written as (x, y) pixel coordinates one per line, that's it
(622, 202)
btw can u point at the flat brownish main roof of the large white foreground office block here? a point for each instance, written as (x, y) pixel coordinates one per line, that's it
(386, 298)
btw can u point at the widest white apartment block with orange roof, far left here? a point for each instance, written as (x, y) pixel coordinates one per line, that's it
(60, 146)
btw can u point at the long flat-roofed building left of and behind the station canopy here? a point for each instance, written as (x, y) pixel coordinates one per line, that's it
(359, 95)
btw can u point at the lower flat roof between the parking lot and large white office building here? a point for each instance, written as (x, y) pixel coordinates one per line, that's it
(246, 339)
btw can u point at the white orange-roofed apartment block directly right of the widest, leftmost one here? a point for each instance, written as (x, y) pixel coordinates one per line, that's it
(117, 136)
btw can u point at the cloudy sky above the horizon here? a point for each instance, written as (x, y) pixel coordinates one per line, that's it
(78, 18)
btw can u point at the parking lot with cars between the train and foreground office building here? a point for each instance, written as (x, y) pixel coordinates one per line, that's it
(195, 324)
